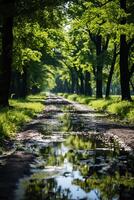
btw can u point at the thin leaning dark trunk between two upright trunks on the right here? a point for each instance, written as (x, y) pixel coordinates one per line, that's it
(111, 73)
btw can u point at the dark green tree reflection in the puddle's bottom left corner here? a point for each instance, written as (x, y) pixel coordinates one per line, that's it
(45, 189)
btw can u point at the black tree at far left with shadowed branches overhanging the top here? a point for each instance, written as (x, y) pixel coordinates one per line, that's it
(8, 10)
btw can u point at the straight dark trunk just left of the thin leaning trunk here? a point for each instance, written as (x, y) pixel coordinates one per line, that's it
(99, 68)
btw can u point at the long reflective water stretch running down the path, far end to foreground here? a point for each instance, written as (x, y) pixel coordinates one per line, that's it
(74, 161)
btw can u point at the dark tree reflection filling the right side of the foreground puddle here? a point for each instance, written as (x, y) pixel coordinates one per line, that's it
(110, 183)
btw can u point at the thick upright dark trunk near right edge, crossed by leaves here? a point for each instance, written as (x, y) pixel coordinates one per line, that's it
(124, 53)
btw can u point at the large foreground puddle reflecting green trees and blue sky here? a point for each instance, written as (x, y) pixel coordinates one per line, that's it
(99, 169)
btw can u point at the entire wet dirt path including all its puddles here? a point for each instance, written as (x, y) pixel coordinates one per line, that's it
(69, 152)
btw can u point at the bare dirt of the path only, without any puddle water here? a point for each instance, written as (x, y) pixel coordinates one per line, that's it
(16, 165)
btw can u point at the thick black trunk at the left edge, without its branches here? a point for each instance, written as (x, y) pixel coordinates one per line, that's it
(6, 60)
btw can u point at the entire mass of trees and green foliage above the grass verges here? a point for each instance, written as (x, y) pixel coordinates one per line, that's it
(83, 47)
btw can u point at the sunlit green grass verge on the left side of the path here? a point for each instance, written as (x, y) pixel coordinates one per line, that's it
(12, 119)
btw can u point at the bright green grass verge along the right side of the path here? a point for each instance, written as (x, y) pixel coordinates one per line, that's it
(123, 110)
